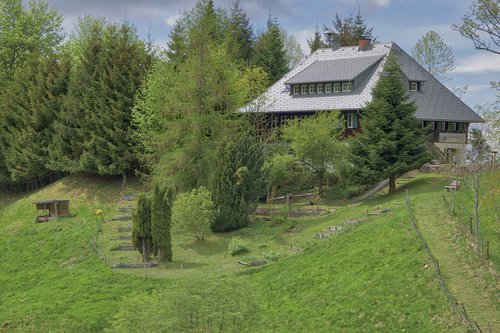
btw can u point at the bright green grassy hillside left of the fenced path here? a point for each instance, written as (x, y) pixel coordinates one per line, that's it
(373, 277)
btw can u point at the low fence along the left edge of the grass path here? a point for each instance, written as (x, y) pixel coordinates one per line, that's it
(459, 308)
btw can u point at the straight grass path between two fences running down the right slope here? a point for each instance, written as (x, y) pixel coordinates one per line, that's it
(461, 279)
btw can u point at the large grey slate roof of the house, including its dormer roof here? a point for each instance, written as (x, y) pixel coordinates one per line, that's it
(434, 101)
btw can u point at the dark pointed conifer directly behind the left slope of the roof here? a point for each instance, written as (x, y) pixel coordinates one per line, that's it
(269, 51)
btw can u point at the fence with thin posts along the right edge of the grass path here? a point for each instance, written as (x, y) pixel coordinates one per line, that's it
(466, 228)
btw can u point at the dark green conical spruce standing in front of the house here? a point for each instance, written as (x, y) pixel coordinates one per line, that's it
(392, 142)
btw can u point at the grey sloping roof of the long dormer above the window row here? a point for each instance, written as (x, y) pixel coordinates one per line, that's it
(346, 69)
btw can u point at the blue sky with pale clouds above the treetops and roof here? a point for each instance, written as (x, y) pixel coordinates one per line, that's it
(401, 21)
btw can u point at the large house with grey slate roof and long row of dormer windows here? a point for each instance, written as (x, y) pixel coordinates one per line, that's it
(343, 79)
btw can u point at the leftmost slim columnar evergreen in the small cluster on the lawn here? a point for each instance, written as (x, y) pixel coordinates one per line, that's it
(141, 227)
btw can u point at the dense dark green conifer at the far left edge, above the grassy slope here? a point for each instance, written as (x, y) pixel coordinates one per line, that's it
(31, 101)
